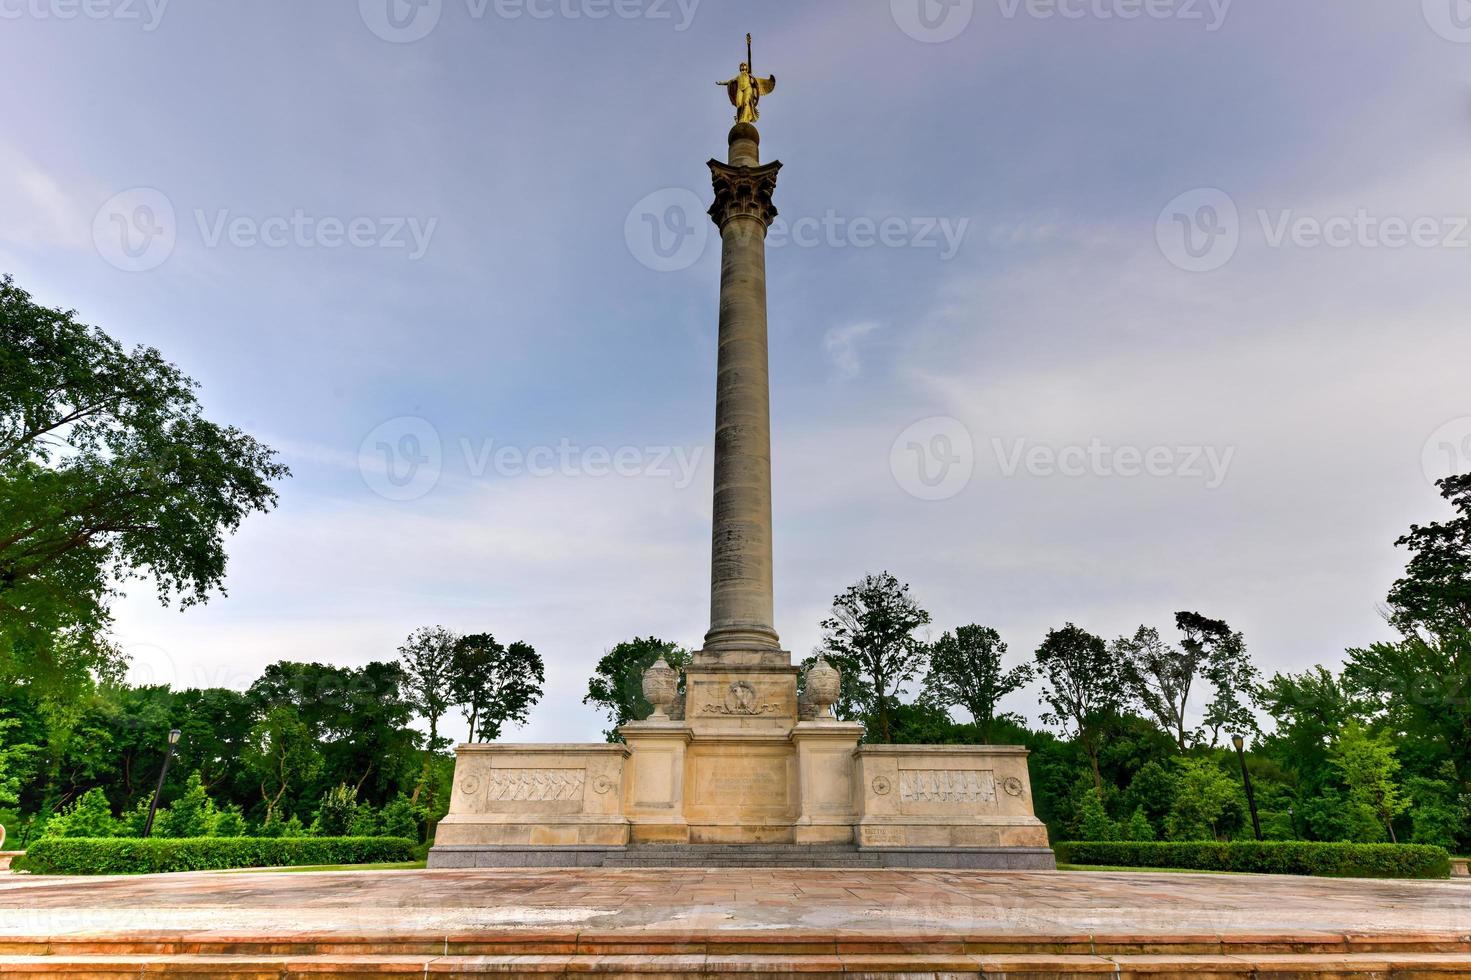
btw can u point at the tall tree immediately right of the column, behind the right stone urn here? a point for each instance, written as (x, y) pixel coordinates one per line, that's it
(872, 638)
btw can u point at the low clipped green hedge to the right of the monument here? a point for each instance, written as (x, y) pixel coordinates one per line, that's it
(1272, 857)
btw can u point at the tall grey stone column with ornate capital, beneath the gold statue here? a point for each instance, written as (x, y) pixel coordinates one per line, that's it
(741, 566)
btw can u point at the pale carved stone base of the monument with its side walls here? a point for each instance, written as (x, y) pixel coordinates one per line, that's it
(742, 791)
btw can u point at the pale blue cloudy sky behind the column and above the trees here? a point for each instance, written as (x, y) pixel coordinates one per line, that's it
(1082, 311)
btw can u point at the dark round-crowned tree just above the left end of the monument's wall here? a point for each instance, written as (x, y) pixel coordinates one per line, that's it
(495, 685)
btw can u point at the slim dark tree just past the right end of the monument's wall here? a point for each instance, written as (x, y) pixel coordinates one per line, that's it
(1083, 688)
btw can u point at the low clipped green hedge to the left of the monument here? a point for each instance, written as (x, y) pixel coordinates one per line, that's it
(138, 856)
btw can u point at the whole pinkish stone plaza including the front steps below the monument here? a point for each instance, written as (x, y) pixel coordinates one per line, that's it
(720, 922)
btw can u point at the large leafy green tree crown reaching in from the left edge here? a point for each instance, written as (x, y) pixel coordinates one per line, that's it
(108, 472)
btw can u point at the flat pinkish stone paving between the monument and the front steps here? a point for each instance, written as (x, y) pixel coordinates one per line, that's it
(672, 906)
